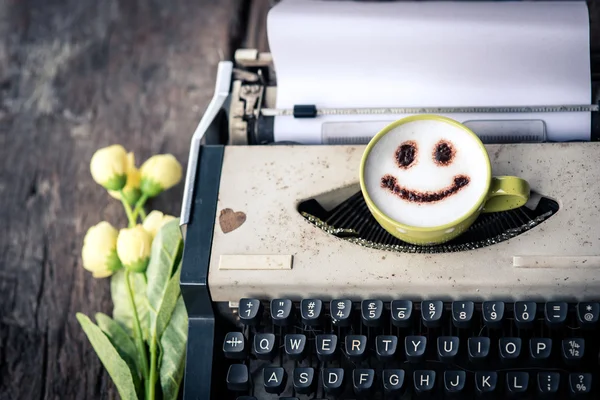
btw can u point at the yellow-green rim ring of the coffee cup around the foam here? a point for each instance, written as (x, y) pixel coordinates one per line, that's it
(423, 117)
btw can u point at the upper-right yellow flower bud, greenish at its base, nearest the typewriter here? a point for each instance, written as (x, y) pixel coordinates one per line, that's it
(160, 172)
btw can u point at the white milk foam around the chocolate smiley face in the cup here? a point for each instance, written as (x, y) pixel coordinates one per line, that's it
(424, 175)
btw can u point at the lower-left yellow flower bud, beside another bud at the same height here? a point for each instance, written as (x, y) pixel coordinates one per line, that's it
(99, 250)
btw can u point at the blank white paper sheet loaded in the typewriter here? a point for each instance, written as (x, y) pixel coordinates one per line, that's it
(418, 54)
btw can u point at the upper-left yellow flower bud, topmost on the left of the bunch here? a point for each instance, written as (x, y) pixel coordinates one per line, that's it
(109, 167)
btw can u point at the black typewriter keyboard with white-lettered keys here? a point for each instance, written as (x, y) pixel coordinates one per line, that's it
(401, 349)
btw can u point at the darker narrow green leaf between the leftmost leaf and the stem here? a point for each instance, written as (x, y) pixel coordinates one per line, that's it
(125, 347)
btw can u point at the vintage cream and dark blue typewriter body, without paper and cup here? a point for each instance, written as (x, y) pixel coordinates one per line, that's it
(294, 291)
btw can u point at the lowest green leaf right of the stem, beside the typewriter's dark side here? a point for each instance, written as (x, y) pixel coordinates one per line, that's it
(173, 345)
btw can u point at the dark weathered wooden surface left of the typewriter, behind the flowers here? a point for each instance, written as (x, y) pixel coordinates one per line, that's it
(76, 75)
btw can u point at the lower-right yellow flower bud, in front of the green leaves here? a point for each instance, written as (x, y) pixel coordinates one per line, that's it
(133, 247)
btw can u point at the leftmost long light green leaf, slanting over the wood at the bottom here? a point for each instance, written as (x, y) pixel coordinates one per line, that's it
(117, 368)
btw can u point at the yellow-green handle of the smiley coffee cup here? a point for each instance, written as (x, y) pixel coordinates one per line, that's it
(506, 193)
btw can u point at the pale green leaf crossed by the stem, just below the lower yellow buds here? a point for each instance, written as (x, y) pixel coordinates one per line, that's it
(122, 312)
